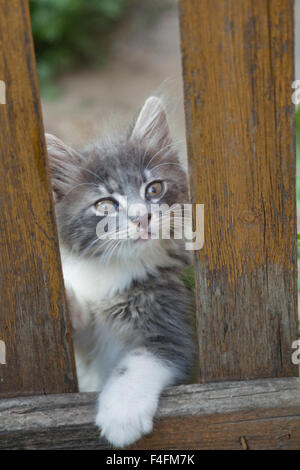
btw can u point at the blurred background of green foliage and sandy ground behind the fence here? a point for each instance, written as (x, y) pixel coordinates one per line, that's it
(102, 58)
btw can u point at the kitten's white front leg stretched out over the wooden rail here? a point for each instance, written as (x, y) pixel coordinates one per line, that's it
(129, 399)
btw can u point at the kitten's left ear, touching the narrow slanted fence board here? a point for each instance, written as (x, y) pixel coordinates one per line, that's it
(63, 163)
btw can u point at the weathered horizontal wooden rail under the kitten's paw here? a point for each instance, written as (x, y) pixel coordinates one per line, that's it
(260, 414)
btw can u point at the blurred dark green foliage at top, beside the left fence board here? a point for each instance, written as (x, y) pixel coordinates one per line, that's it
(65, 32)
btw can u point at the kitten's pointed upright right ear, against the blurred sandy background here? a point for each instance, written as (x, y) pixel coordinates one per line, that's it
(152, 124)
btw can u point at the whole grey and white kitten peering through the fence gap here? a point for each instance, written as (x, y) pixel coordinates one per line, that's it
(131, 313)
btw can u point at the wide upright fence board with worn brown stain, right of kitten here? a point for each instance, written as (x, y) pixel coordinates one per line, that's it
(238, 68)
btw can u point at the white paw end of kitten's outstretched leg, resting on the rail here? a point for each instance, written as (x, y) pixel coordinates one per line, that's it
(123, 416)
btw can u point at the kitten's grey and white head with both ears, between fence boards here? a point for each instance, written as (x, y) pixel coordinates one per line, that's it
(117, 181)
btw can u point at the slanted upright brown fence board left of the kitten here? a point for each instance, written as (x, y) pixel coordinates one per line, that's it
(33, 316)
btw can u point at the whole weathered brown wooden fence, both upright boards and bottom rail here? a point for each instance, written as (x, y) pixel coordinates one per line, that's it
(238, 65)
